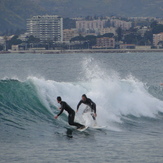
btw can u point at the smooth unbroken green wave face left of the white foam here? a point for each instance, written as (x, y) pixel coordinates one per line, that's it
(20, 106)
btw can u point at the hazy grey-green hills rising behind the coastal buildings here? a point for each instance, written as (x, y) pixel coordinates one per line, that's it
(13, 14)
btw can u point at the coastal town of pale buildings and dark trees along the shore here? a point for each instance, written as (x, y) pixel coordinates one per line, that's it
(54, 34)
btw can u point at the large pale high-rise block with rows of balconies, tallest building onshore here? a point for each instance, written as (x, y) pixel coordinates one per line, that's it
(46, 27)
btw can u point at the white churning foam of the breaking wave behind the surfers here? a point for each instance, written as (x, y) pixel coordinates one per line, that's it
(113, 96)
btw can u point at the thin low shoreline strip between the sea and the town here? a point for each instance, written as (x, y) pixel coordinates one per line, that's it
(84, 51)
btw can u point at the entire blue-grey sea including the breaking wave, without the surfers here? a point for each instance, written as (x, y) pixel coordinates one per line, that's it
(126, 88)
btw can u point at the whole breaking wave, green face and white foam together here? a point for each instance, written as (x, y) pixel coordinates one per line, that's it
(24, 104)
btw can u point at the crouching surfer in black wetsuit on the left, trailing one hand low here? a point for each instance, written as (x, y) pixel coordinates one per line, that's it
(71, 112)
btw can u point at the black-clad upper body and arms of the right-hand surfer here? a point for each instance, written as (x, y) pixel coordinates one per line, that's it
(90, 103)
